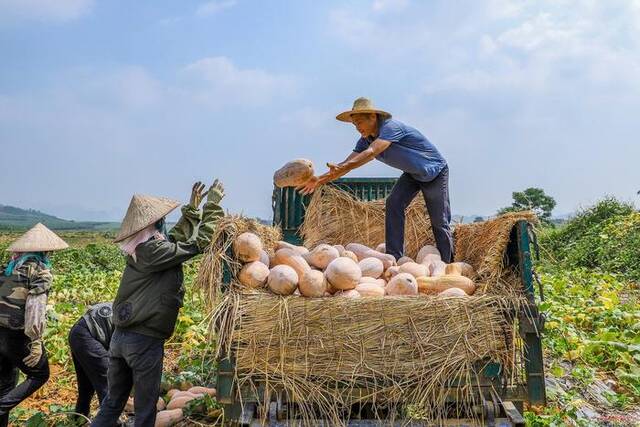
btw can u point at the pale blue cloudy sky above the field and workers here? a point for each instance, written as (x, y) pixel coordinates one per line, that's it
(100, 99)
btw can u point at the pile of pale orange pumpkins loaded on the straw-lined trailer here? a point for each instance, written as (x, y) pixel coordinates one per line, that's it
(351, 271)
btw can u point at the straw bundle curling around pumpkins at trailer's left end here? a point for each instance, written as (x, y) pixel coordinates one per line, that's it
(219, 251)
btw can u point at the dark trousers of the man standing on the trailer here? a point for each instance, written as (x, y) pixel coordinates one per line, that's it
(436, 197)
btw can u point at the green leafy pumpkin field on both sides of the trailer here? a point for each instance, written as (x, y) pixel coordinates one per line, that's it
(589, 269)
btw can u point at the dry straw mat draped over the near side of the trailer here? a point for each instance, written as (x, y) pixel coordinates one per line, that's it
(329, 354)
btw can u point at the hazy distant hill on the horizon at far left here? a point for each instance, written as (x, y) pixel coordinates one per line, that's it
(13, 218)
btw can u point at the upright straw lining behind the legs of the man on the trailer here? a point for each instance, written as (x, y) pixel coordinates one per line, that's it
(336, 217)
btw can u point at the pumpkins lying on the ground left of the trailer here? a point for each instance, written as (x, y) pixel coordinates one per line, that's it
(173, 412)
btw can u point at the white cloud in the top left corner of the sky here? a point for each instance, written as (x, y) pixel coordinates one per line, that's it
(12, 11)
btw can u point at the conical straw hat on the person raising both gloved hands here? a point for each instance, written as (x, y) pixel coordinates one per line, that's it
(144, 211)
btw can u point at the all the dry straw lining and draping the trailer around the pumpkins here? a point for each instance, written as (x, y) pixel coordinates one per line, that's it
(402, 350)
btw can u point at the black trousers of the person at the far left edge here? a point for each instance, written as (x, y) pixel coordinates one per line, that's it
(14, 346)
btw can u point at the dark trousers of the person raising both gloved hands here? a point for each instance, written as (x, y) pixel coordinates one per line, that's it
(135, 361)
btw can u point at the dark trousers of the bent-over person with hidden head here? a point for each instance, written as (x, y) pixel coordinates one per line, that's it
(91, 361)
